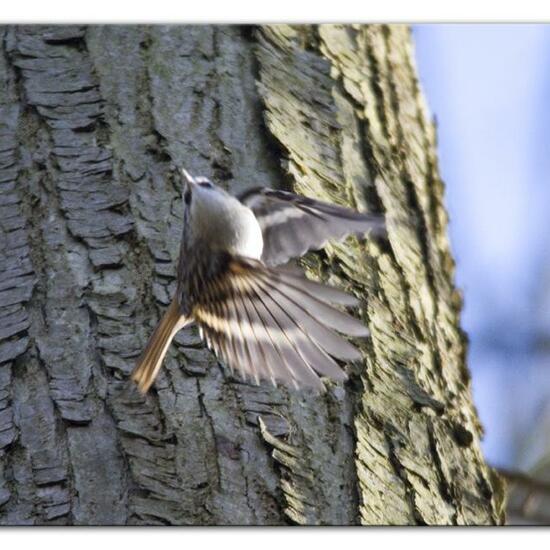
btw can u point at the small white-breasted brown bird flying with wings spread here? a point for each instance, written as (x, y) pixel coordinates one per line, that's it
(263, 320)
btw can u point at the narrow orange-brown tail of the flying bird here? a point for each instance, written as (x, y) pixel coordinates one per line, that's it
(151, 359)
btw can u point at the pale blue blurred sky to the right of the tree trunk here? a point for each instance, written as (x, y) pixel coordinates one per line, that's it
(488, 87)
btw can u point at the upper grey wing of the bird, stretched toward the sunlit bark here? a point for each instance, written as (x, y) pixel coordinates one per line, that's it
(292, 224)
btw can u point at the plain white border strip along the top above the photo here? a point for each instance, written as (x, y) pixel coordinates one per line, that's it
(248, 11)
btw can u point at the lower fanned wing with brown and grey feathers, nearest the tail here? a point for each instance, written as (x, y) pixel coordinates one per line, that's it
(270, 324)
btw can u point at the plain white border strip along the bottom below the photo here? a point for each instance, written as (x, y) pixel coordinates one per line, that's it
(272, 538)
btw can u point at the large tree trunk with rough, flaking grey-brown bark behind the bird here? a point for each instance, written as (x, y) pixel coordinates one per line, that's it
(92, 122)
